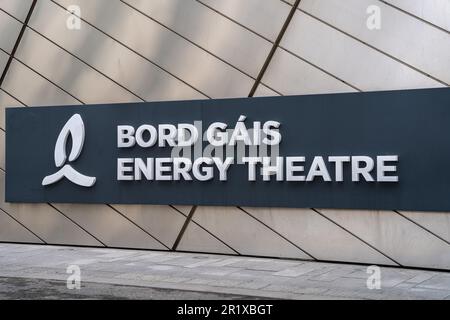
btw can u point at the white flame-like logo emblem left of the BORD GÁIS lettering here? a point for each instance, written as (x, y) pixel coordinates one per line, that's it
(74, 127)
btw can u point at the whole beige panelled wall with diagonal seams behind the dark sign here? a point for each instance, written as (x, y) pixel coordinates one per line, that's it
(149, 50)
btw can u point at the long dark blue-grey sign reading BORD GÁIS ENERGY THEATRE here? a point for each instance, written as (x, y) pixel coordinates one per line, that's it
(376, 150)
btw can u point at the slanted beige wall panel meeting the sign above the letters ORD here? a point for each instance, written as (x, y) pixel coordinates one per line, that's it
(110, 57)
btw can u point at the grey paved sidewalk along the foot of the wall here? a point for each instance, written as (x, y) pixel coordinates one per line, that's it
(115, 273)
